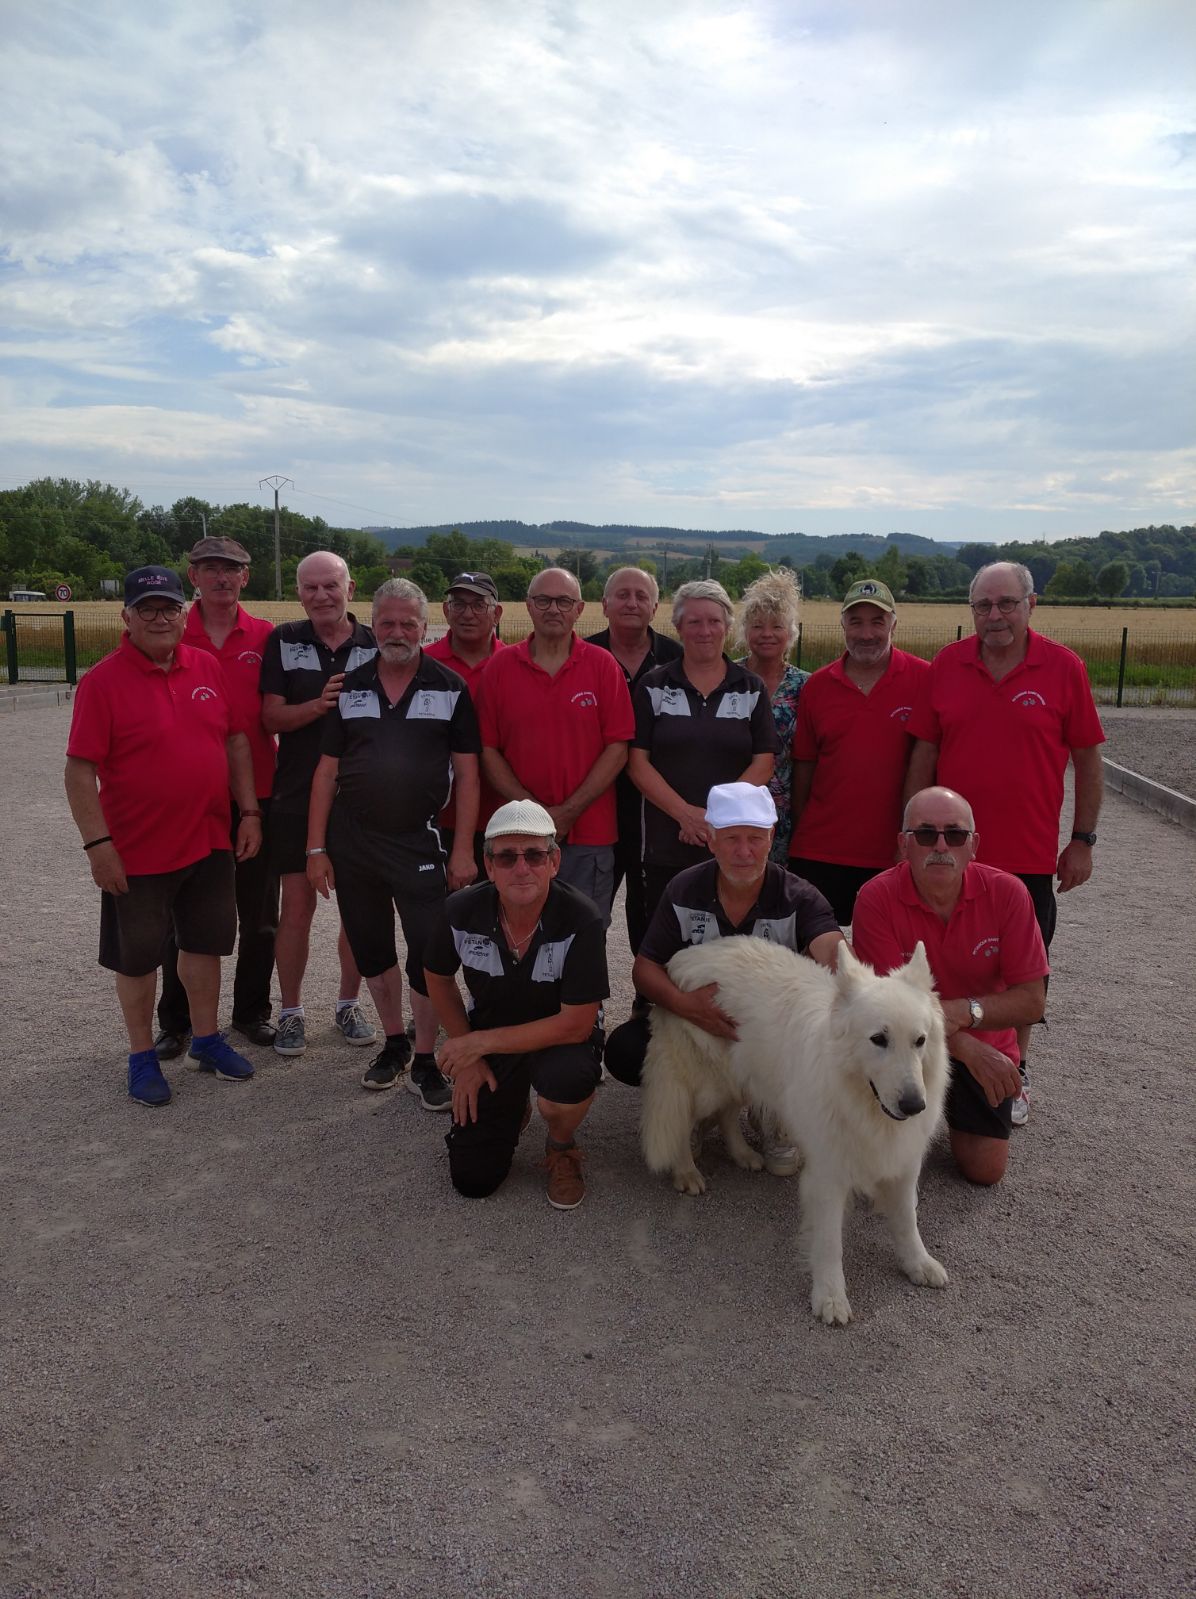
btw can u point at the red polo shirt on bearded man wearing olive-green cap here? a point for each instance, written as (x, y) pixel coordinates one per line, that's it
(861, 746)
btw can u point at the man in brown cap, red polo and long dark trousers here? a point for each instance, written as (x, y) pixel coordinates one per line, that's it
(218, 623)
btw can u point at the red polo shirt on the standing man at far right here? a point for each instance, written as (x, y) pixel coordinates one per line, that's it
(1005, 746)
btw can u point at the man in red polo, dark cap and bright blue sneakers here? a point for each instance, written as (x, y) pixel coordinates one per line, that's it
(153, 754)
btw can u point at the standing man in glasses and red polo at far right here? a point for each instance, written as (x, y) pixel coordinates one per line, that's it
(999, 717)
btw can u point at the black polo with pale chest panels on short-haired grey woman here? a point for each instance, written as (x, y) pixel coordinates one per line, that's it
(696, 741)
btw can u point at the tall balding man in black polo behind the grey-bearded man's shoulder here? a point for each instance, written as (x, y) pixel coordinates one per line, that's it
(303, 671)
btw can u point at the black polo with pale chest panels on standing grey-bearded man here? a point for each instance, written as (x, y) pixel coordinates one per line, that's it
(396, 760)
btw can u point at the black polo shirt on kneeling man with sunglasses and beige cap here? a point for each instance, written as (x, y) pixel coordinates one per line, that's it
(565, 962)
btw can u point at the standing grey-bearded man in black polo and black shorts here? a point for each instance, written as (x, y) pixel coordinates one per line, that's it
(402, 735)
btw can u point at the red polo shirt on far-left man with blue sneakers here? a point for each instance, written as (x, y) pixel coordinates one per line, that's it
(159, 741)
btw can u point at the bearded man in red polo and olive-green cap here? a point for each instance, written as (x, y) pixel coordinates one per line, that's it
(851, 749)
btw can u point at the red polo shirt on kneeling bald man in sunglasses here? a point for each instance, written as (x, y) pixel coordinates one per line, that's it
(989, 944)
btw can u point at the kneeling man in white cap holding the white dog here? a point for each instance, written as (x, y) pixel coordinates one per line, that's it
(740, 893)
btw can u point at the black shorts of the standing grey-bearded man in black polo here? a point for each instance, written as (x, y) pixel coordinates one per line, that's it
(378, 874)
